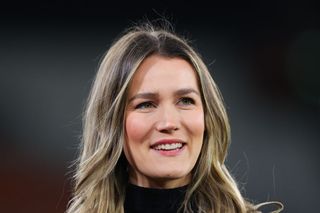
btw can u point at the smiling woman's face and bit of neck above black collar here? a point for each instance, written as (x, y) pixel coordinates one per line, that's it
(164, 123)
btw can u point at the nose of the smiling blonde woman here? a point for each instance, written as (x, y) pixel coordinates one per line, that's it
(168, 120)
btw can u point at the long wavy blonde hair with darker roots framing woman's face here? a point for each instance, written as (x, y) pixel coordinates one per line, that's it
(101, 177)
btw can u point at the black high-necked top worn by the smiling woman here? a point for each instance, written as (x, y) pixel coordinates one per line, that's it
(150, 200)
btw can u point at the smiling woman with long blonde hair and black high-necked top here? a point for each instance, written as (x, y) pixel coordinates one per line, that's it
(156, 132)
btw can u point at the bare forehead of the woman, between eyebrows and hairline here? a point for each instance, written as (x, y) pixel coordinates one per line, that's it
(162, 73)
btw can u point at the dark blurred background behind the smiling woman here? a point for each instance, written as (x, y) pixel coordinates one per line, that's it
(264, 55)
